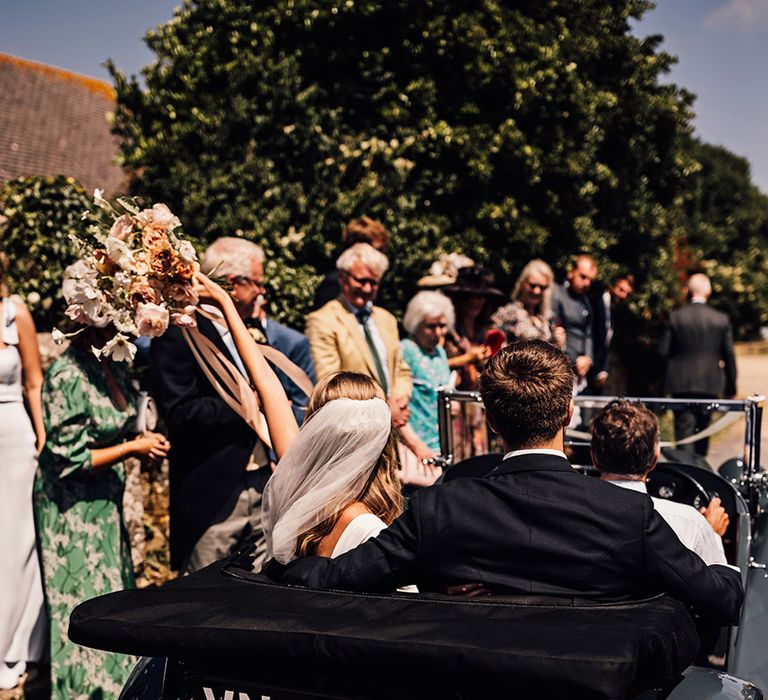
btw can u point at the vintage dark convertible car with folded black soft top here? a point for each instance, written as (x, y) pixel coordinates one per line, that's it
(226, 633)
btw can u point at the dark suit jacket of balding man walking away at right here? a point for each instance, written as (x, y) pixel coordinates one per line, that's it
(694, 342)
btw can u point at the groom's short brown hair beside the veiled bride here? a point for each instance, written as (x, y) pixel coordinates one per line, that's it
(527, 389)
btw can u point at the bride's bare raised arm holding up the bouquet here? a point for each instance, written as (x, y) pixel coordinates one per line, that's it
(277, 409)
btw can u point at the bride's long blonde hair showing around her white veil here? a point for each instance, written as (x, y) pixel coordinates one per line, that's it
(381, 493)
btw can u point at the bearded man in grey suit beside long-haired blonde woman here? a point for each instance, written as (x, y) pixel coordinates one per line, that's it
(572, 310)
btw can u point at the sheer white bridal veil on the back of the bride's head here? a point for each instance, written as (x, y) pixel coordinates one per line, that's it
(323, 470)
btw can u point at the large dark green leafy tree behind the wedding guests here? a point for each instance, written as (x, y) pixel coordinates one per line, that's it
(503, 130)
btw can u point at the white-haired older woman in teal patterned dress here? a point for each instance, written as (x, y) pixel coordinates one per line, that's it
(427, 318)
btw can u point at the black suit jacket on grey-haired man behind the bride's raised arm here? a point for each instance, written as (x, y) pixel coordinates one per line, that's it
(211, 444)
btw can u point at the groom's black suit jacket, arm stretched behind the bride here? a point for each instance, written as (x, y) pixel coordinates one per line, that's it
(534, 526)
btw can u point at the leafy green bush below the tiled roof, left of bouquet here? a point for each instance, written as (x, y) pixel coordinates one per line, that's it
(38, 215)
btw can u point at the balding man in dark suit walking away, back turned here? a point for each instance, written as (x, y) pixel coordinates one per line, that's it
(696, 341)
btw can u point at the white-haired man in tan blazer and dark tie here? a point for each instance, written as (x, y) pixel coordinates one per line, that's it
(351, 334)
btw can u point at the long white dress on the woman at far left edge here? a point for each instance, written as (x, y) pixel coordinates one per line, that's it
(22, 626)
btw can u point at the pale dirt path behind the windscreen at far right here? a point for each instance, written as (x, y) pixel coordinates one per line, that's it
(752, 378)
